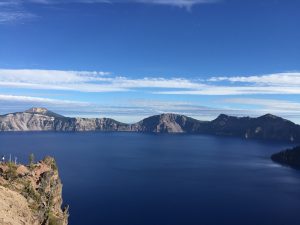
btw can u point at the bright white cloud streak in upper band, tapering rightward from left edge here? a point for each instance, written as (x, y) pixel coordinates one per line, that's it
(84, 81)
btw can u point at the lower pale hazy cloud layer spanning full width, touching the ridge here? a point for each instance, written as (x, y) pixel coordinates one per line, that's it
(136, 109)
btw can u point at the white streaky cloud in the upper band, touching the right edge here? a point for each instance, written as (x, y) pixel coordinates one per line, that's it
(270, 84)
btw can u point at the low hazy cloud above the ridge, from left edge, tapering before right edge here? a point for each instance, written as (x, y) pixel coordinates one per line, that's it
(130, 111)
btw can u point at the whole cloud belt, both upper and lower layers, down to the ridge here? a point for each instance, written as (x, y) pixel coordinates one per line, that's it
(231, 94)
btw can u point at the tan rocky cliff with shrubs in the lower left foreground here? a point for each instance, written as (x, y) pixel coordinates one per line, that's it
(31, 195)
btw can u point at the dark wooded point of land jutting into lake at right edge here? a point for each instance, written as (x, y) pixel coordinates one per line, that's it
(290, 157)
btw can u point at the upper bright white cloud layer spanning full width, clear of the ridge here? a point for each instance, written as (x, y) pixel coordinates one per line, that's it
(93, 81)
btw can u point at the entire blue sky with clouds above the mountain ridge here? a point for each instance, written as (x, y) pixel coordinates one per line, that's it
(129, 59)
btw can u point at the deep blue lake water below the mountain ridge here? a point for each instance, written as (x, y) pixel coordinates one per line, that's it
(142, 179)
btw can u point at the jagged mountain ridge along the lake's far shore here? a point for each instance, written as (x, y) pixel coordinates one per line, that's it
(265, 127)
